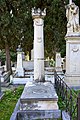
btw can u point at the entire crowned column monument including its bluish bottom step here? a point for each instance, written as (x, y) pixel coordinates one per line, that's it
(39, 98)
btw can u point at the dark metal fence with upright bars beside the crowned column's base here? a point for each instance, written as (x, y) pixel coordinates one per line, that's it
(70, 100)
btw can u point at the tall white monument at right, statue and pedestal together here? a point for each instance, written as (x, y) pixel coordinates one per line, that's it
(72, 38)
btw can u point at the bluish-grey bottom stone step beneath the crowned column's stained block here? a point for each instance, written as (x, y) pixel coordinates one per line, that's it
(39, 114)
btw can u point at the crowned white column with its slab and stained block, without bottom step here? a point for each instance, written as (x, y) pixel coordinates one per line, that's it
(38, 94)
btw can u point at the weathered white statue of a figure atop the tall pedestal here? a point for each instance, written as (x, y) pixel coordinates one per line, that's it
(72, 14)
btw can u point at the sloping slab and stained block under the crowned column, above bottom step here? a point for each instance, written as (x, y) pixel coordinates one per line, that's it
(40, 96)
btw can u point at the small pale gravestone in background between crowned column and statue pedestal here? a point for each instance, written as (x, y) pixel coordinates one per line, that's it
(58, 62)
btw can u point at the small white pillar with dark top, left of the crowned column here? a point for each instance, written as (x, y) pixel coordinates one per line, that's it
(19, 68)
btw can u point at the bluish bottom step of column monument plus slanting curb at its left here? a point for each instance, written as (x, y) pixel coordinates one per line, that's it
(34, 114)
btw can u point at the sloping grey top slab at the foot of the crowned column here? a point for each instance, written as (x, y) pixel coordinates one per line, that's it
(39, 91)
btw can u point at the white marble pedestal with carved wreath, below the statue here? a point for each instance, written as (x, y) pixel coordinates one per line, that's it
(72, 76)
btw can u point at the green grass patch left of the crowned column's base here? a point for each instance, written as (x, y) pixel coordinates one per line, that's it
(7, 104)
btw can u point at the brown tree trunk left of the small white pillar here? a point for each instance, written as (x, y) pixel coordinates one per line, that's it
(8, 61)
